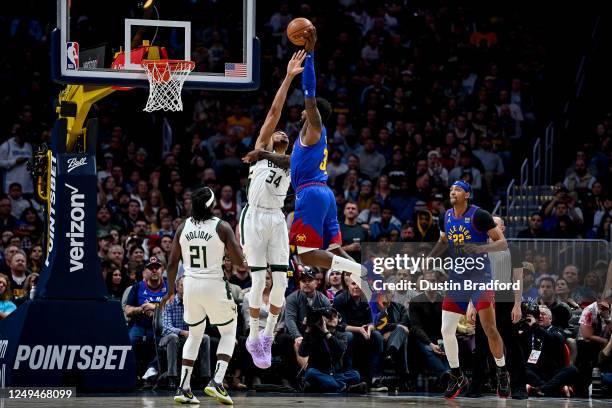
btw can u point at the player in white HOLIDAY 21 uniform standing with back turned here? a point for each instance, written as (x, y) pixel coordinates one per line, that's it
(201, 242)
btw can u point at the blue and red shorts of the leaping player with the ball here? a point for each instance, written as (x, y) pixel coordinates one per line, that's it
(315, 224)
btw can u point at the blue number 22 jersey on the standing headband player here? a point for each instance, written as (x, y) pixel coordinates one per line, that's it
(460, 231)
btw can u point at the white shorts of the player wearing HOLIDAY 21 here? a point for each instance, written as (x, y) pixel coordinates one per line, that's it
(207, 296)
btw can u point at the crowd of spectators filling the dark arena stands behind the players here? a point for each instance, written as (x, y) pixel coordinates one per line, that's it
(422, 95)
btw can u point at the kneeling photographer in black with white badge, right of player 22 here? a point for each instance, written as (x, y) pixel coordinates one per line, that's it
(543, 343)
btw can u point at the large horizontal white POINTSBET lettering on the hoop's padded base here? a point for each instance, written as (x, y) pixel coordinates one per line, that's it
(86, 357)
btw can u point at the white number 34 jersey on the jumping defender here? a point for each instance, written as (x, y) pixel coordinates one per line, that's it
(268, 185)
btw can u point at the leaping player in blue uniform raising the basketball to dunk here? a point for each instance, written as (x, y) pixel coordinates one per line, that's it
(315, 230)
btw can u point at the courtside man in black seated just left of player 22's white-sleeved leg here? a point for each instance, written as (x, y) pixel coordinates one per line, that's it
(426, 321)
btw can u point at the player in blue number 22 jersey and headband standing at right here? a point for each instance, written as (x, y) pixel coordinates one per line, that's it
(465, 230)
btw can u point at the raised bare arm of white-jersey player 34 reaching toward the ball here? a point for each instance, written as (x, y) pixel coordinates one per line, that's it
(294, 67)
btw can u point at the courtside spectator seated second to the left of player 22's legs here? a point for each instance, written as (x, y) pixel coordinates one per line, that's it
(393, 323)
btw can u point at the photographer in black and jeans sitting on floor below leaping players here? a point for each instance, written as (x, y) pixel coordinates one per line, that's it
(325, 347)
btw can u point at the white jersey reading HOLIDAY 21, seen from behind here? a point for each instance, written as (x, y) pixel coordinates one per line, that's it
(202, 249)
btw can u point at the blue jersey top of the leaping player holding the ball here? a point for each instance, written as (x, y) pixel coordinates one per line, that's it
(309, 163)
